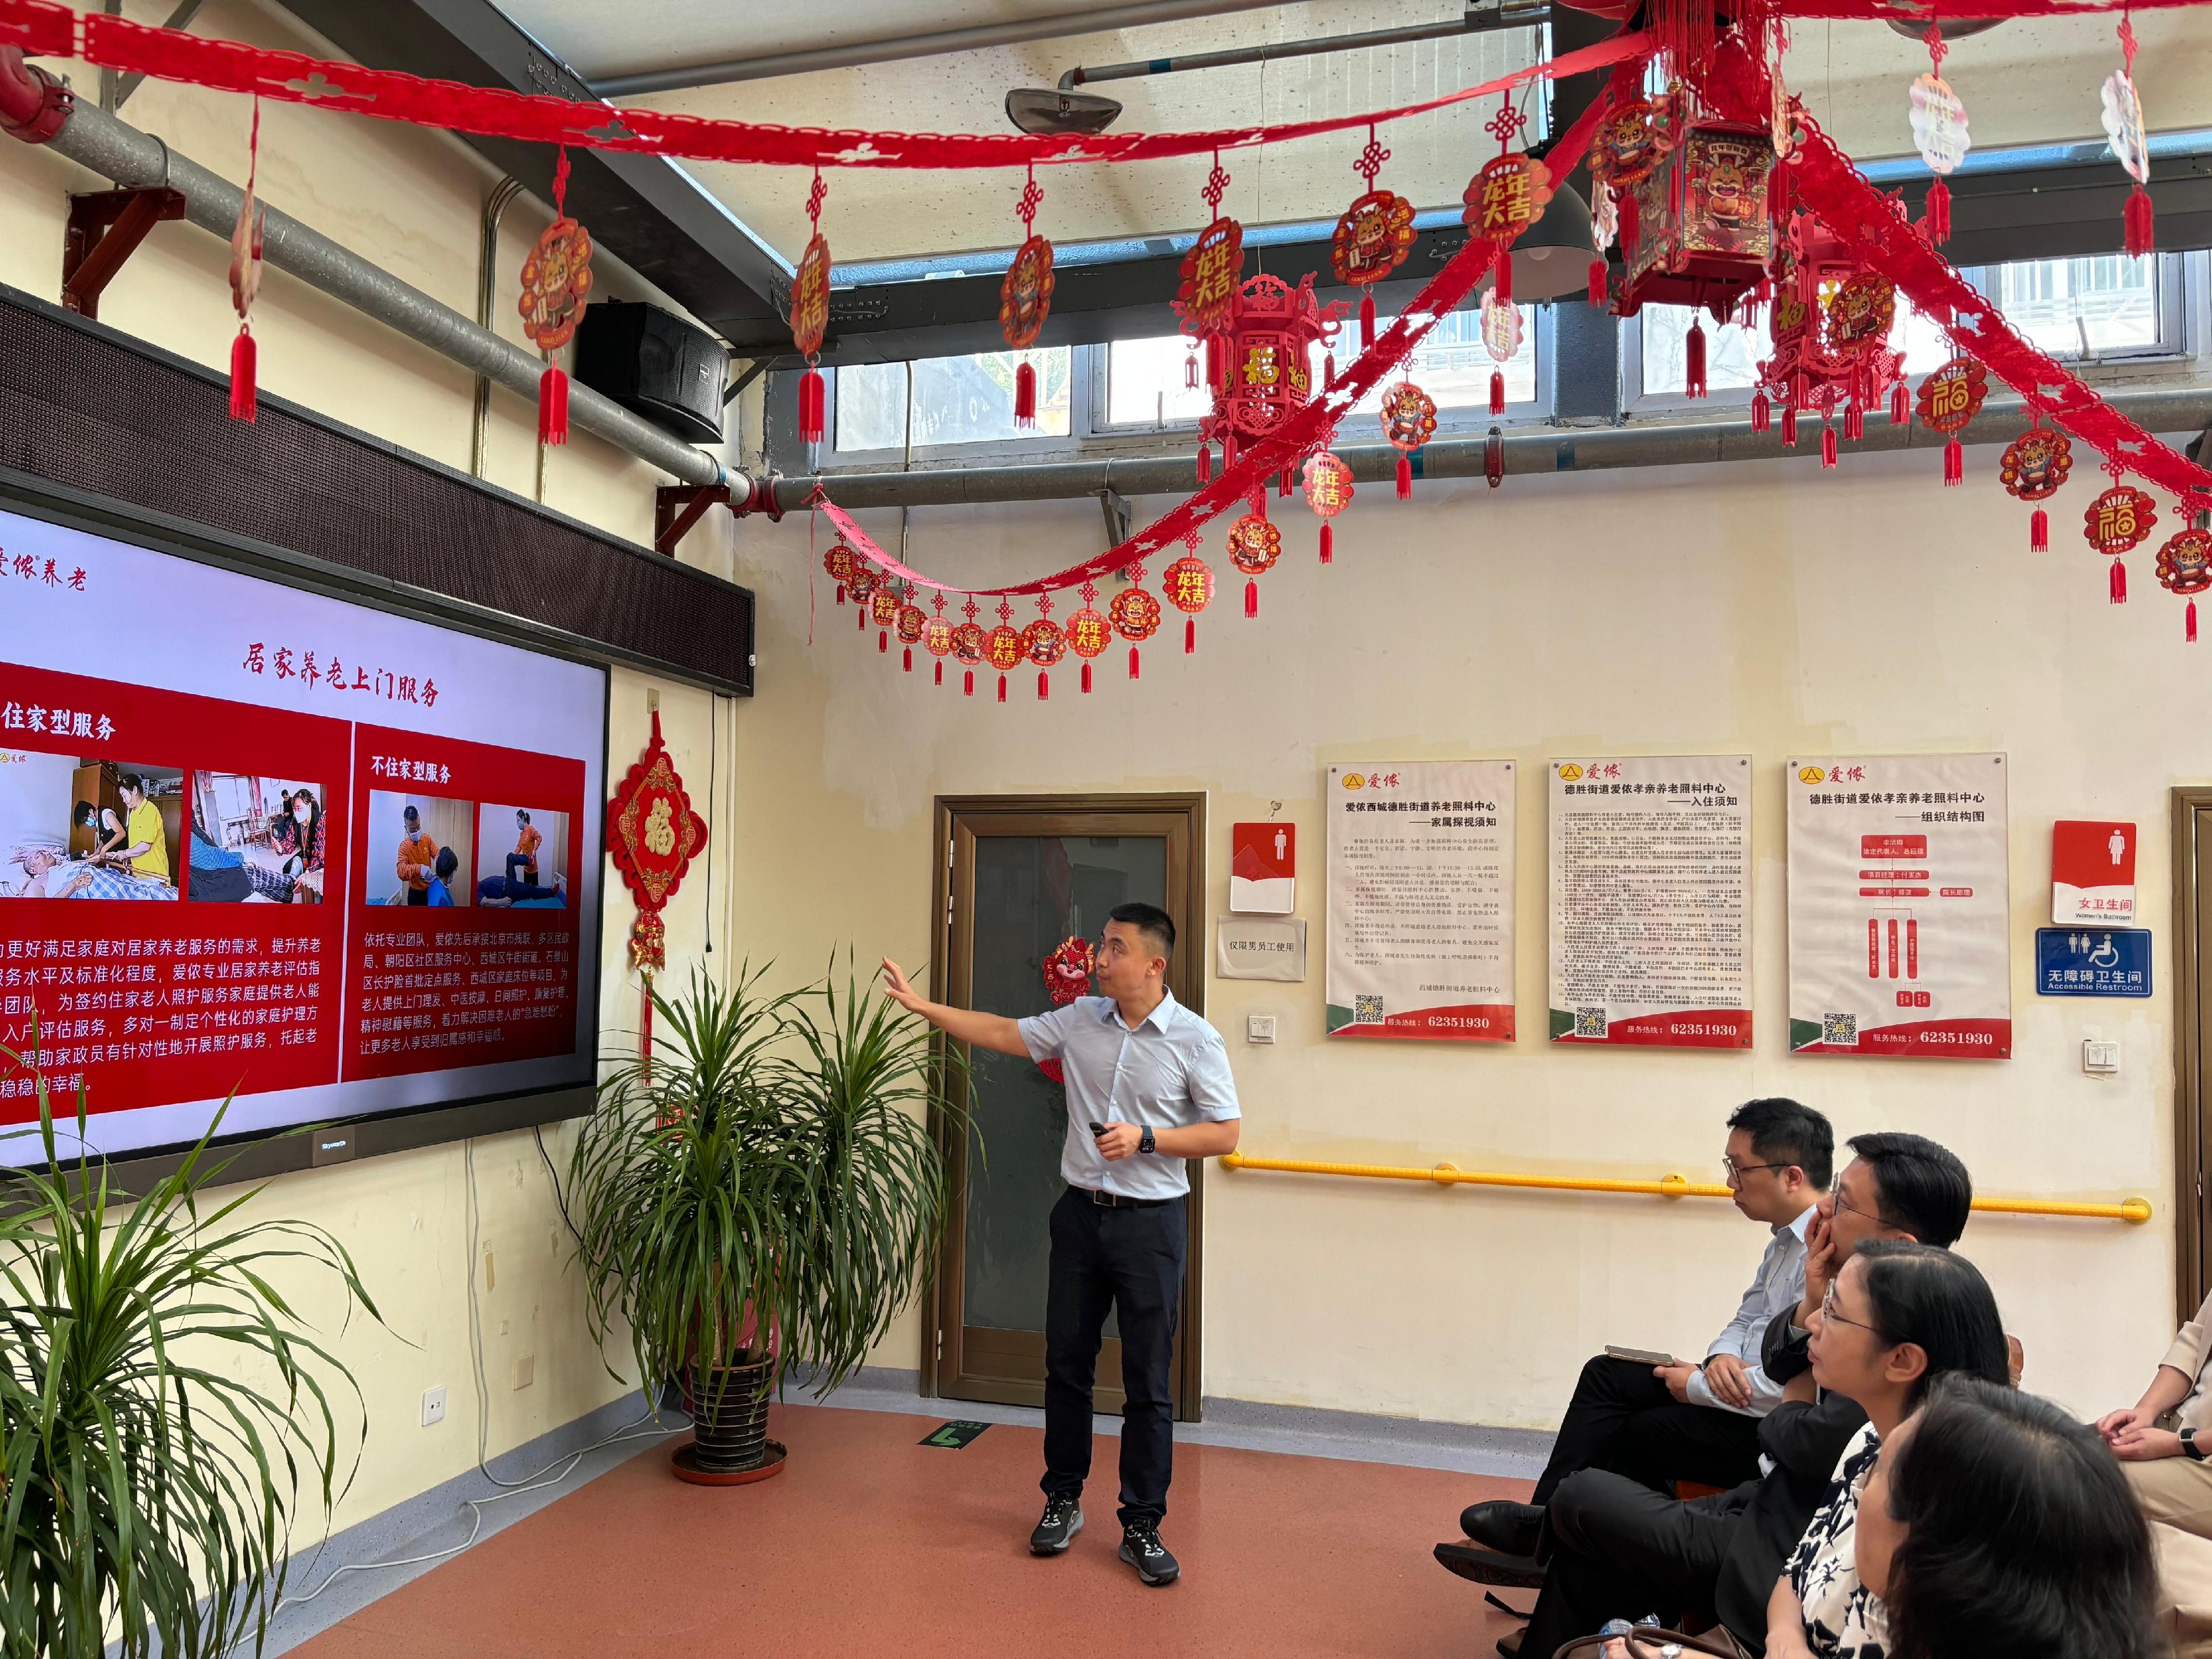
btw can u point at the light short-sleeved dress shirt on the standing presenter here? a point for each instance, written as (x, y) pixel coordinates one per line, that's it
(1171, 1072)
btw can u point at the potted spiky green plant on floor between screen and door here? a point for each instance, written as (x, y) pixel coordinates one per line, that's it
(760, 1196)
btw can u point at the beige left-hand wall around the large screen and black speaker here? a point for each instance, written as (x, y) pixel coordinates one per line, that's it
(408, 202)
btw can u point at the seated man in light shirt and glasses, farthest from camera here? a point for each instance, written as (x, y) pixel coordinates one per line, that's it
(1684, 1421)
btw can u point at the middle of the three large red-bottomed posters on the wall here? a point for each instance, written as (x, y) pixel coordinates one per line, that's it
(1651, 901)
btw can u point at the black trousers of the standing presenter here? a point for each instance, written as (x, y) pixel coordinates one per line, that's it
(1131, 1262)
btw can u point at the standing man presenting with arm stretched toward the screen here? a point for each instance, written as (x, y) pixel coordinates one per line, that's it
(1149, 1087)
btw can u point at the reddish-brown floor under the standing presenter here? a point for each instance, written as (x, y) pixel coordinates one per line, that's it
(873, 1543)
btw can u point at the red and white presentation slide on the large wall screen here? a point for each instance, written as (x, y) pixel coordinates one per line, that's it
(271, 844)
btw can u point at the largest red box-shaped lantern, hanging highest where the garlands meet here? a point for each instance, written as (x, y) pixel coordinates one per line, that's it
(1695, 227)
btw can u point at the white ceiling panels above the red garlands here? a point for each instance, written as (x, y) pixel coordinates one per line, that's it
(2021, 85)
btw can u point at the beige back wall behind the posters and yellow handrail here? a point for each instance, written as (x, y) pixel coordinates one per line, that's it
(1755, 609)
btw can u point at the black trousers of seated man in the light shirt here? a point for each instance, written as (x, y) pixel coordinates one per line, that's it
(1625, 1419)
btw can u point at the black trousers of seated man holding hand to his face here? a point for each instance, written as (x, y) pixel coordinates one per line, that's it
(1620, 1550)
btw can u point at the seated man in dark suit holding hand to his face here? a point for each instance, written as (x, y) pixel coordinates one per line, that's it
(1609, 1545)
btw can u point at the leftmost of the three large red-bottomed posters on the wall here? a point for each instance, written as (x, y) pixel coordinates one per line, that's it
(1421, 901)
